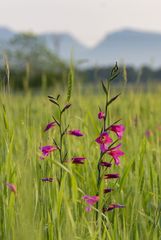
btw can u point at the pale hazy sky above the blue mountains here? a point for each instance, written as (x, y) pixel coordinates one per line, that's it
(87, 20)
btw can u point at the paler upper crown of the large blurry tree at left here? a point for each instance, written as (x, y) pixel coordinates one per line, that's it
(28, 48)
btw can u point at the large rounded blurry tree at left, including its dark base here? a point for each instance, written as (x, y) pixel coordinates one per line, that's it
(30, 59)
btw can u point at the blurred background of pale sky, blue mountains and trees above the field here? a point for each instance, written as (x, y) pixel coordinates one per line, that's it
(39, 39)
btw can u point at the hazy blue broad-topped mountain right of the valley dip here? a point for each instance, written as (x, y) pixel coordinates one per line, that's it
(131, 47)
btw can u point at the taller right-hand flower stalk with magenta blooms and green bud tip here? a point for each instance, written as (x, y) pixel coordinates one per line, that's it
(107, 145)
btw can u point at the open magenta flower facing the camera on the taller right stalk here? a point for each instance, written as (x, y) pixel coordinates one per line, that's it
(104, 140)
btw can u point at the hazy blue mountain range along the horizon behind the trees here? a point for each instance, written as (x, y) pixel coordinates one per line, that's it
(125, 46)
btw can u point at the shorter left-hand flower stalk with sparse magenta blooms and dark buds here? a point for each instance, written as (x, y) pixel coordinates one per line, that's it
(62, 132)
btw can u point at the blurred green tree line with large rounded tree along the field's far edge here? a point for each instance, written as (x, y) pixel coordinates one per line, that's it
(29, 63)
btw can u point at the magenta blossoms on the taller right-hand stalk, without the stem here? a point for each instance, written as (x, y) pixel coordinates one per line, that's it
(106, 148)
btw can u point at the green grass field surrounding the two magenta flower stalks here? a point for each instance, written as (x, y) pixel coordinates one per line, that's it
(43, 210)
